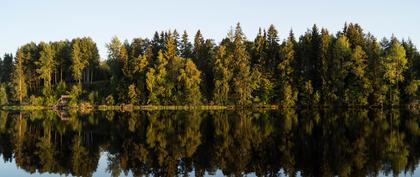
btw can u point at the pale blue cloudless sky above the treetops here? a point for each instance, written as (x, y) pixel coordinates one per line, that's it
(23, 21)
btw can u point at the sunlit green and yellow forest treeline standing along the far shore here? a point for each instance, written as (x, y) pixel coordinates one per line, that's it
(350, 68)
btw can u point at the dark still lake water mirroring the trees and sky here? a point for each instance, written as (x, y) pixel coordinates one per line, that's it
(233, 143)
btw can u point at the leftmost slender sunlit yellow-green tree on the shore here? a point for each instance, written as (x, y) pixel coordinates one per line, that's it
(18, 79)
